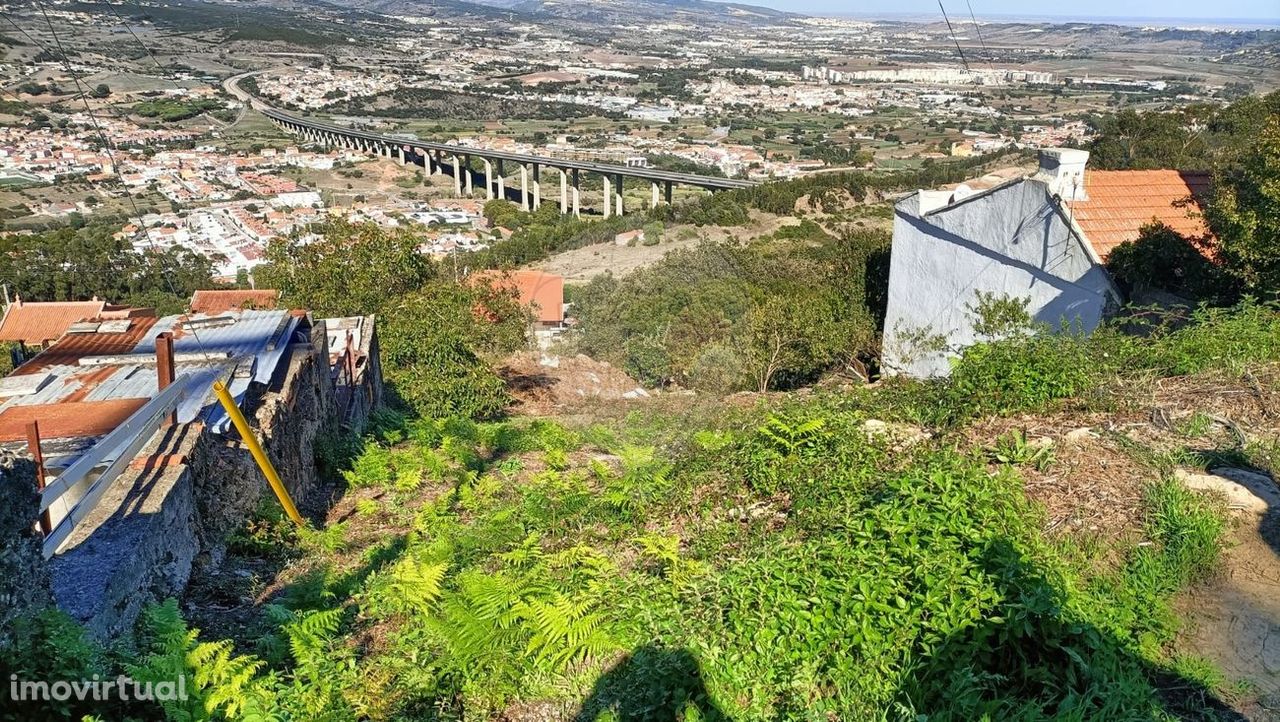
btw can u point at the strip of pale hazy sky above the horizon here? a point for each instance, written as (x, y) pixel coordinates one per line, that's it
(1219, 10)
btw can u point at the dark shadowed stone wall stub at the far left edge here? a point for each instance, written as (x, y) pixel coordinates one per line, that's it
(24, 575)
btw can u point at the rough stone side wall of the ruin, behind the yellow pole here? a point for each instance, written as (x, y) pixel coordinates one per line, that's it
(188, 492)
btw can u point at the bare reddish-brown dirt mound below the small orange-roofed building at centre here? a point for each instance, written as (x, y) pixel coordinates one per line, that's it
(546, 385)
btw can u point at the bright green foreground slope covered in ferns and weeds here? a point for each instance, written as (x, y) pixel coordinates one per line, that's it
(771, 563)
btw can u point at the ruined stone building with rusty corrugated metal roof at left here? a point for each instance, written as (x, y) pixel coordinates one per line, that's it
(141, 473)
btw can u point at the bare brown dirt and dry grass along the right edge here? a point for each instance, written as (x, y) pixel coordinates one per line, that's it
(1095, 485)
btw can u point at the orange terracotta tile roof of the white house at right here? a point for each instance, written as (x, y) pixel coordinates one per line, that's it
(1122, 202)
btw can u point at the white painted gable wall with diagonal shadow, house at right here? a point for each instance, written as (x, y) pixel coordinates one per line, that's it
(1012, 241)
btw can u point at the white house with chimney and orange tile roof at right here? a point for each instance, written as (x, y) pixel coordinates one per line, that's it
(1043, 237)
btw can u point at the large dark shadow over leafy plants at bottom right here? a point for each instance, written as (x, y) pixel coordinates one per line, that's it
(1031, 660)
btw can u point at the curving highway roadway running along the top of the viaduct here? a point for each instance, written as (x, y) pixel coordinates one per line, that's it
(582, 166)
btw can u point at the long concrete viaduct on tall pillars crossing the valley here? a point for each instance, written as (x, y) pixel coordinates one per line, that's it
(440, 158)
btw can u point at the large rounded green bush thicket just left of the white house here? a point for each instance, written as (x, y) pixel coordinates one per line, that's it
(789, 313)
